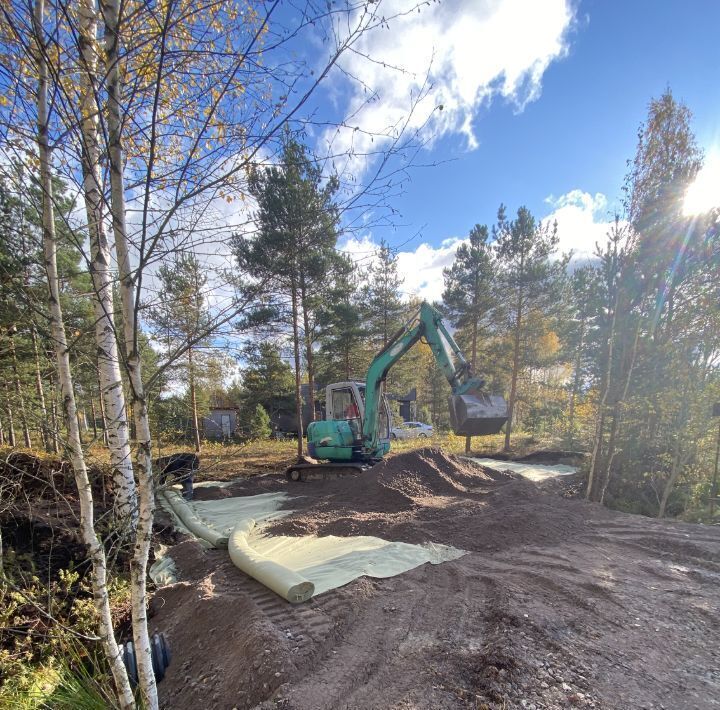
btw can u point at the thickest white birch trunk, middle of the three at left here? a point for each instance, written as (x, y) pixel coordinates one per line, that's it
(111, 389)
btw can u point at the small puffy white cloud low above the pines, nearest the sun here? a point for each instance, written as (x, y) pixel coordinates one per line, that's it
(583, 221)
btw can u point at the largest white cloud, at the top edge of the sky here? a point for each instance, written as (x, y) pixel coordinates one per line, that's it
(474, 52)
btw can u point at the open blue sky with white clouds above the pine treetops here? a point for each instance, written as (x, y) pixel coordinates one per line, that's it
(551, 122)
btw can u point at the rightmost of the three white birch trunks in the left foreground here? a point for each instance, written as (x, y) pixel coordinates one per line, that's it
(143, 462)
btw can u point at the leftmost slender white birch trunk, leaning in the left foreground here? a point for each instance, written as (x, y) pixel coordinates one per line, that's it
(96, 552)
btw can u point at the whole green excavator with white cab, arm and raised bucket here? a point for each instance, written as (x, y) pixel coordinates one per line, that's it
(356, 431)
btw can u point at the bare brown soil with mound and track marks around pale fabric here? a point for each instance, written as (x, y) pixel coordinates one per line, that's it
(560, 603)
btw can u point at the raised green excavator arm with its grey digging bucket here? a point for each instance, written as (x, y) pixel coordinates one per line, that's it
(471, 412)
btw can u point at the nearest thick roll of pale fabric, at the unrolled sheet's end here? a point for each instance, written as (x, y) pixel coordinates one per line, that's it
(283, 581)
